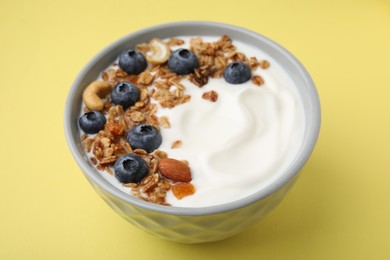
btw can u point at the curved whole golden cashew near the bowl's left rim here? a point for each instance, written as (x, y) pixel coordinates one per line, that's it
(94, 93)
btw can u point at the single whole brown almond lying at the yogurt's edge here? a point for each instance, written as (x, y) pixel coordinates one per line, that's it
(174, 170)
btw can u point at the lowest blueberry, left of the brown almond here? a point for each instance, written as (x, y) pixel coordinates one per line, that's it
(130, 168)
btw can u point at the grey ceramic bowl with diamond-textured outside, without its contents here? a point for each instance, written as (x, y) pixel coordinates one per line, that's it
(205, 224)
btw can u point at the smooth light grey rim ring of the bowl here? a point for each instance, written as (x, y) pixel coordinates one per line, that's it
(290, 173)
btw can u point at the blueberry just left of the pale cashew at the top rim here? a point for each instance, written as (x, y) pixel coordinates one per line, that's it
(132, 62)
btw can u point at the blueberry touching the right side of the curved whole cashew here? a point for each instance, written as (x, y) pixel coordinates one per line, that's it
(125, 94)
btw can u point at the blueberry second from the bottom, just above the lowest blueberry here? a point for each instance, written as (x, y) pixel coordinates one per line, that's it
(144, 137)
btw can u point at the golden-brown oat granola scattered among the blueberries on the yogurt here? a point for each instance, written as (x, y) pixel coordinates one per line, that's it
(158, 83)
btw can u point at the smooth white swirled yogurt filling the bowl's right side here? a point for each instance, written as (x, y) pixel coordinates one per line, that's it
(239, 144)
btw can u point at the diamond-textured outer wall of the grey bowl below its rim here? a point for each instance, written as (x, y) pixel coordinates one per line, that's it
(194, 229)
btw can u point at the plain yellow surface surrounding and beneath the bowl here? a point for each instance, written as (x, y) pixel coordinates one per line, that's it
(339, 208)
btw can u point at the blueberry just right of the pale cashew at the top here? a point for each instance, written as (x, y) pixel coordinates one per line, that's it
(183, 61)
